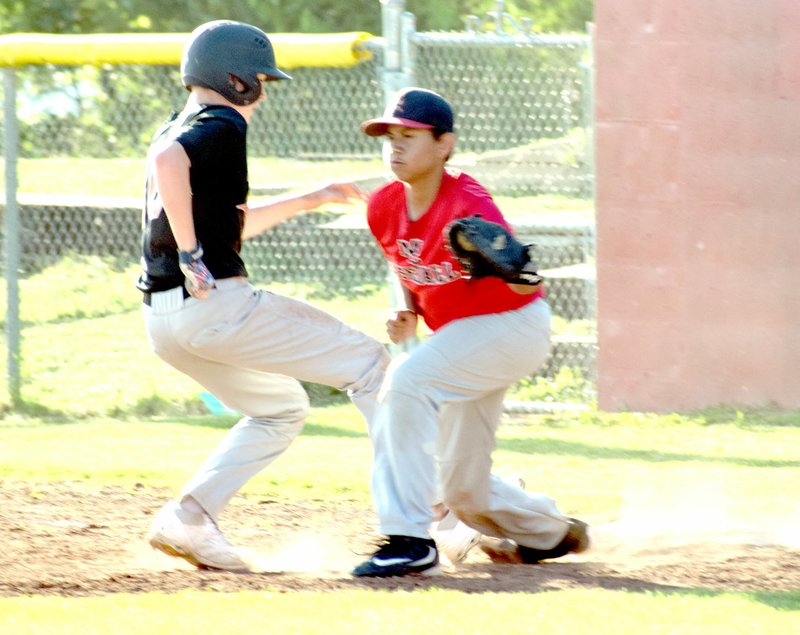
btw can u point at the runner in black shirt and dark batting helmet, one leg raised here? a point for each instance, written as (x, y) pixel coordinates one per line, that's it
(247, 346)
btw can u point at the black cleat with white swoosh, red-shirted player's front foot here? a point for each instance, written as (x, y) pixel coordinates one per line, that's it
(401, 555)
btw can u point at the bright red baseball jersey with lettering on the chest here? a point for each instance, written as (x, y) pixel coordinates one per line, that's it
(416, 250)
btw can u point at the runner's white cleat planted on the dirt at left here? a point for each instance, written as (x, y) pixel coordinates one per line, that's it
(195, 538)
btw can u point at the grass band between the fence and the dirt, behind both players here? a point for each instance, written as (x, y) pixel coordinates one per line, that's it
(599, 463)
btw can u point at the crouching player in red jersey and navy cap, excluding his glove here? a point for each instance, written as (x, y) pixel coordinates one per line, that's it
(444, 400)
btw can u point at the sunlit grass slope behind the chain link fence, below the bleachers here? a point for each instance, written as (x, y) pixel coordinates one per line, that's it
(85, 350)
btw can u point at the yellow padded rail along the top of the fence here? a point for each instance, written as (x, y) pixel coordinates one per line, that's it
(292, 50)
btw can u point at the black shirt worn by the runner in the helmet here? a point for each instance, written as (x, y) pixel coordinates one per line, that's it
(214, 138)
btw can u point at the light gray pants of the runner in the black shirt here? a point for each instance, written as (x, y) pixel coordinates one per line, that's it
(249, 348)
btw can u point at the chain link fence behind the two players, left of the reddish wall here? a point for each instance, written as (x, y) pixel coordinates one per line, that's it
(523, 119)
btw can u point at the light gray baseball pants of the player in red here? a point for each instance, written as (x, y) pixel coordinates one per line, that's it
(445, 399)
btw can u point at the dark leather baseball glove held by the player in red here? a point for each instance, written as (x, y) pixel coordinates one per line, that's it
(484, 248)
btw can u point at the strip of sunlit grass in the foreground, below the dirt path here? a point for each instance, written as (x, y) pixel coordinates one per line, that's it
(403, 613)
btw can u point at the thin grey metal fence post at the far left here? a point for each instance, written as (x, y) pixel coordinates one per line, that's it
(11, 233)
